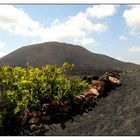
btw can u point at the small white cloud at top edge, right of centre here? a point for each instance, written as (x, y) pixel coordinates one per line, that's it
(101, 11)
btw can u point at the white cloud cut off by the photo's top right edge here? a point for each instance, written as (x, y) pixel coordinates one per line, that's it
(132, 18)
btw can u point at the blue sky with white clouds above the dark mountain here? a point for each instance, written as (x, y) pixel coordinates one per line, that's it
(112, 30)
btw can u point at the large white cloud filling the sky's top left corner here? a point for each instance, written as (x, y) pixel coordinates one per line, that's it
(17, 21)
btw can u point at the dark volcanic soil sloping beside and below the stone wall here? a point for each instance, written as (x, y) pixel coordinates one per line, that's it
(117, 113)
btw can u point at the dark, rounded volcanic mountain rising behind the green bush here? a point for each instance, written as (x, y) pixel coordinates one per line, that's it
(57, 53)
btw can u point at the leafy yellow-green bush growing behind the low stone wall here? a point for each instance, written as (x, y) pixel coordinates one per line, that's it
(25, 89)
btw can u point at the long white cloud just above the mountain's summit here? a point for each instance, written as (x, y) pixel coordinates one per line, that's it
(78, 26)
